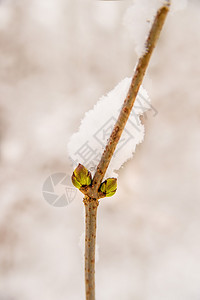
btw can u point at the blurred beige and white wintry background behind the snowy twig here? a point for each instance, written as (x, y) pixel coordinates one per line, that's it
(57, 57)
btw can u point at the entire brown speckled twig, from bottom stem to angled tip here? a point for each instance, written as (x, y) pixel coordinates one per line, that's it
(92, 191)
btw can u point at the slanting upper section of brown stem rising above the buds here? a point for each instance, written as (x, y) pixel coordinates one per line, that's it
(131, 96)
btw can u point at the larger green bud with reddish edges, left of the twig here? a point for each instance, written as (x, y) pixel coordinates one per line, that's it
(81, 177)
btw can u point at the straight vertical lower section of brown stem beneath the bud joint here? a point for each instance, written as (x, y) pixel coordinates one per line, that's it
(90, 241)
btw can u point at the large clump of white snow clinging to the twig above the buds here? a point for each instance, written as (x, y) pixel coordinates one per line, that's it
(87, 145)
